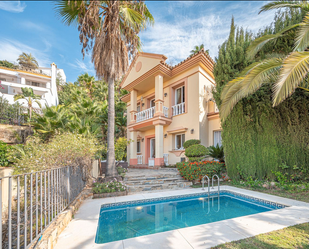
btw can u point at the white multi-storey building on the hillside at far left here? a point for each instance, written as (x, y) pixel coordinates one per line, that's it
(12, 80)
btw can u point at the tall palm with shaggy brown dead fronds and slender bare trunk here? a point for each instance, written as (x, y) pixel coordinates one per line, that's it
(113, 27)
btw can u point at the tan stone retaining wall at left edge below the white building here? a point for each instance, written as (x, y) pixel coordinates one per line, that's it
(13, 134)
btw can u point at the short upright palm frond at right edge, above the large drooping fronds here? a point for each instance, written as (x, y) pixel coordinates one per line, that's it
(302, 35)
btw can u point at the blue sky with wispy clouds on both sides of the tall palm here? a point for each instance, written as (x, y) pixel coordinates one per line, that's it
(33, 27)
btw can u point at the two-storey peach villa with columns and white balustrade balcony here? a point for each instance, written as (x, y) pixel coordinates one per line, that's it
(167, 106)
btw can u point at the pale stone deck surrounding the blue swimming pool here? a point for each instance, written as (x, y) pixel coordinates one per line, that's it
(81, 231)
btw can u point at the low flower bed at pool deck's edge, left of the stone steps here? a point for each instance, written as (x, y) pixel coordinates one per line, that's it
(109, 189)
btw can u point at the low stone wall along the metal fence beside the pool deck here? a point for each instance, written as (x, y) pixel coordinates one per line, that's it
(50, 235)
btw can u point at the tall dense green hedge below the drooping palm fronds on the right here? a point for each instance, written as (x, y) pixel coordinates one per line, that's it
(258, 139)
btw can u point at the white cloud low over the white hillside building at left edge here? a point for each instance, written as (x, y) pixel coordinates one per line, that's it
(11, 49)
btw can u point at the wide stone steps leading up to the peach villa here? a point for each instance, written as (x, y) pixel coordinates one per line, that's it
(138, 180)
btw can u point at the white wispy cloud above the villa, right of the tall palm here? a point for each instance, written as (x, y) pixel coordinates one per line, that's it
(176, 38)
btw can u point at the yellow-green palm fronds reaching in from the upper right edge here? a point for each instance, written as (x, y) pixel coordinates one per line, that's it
(288, 72)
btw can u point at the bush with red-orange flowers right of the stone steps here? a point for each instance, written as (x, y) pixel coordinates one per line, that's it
(197, 170)
